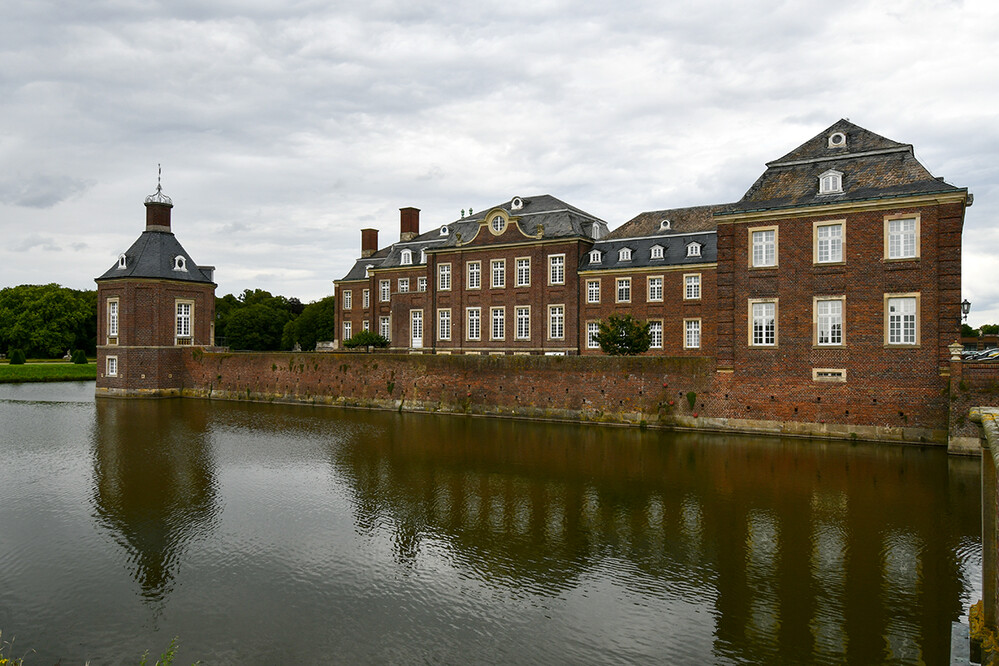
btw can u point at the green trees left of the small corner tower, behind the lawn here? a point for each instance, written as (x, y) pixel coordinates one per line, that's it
(45, 320)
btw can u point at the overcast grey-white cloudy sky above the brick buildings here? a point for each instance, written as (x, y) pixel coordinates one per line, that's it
(285, 127)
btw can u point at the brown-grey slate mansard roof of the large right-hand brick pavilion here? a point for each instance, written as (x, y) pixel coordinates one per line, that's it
(873, 167)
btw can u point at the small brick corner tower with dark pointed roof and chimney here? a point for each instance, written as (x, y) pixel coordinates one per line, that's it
(153, 304)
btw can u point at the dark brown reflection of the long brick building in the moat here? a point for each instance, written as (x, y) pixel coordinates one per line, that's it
(822, 552)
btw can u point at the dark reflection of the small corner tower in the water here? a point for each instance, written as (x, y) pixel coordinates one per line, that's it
(154, 483)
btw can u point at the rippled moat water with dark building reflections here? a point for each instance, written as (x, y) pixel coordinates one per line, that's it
(271, 534)
